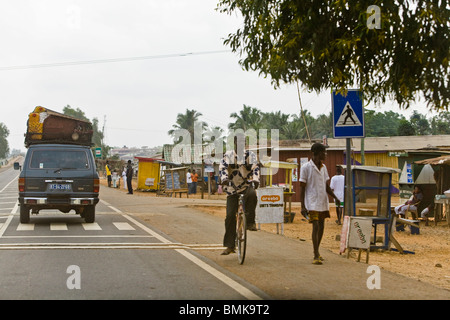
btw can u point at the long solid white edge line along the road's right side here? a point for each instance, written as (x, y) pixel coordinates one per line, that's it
(248, 294)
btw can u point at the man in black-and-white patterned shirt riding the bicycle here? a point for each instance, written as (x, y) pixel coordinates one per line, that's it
(241, 168)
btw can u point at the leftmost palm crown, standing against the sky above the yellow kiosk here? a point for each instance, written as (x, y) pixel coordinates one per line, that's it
(189, 122)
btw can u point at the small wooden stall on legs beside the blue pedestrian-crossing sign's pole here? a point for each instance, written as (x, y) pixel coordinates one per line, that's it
(371, 194)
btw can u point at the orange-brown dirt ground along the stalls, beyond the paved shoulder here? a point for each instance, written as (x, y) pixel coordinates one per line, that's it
(429, 262)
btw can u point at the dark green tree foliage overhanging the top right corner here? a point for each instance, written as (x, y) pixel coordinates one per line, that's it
(327, 44)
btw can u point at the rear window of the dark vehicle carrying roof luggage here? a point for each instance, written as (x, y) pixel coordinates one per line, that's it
(58, 159)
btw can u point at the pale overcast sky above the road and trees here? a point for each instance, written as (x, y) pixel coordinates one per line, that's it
(136, 100)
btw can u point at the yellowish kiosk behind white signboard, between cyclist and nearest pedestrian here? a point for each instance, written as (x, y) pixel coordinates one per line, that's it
(288, 190)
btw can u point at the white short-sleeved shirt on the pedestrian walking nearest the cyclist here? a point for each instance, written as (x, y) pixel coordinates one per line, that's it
(316, 197)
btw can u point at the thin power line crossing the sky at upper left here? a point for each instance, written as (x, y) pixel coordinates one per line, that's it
(75, 63)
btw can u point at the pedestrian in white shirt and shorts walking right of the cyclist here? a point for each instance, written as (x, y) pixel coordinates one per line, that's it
(314, 191)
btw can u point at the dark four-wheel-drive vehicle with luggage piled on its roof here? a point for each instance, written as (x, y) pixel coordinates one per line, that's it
(59, 170)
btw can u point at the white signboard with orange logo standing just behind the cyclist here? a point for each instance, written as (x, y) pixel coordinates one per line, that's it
(270, 206)
